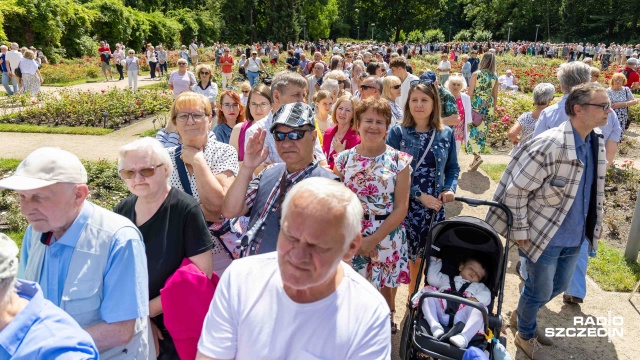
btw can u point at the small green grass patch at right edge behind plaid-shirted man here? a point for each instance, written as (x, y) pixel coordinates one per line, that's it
(611, 270)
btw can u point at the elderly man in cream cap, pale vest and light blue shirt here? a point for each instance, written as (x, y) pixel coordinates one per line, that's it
(89, 261)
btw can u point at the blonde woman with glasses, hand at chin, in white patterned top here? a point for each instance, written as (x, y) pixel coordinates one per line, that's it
(203, 167)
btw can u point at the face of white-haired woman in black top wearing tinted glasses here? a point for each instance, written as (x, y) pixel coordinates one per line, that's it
(139, 185)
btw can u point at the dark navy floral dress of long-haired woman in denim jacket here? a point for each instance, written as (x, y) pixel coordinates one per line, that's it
(419, 217)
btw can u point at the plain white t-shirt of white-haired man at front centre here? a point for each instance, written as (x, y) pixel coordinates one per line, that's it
(260, 321)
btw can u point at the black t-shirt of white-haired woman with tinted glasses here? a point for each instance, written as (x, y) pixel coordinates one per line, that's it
(176, 231)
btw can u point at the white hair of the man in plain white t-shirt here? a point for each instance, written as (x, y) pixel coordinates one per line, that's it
(329, 195)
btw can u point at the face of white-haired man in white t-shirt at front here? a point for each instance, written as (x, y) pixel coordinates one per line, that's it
(309, 252)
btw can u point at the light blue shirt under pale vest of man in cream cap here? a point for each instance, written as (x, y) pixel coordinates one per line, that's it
(125, 281)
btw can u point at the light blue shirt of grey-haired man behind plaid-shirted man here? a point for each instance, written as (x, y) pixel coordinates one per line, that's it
(555, 115)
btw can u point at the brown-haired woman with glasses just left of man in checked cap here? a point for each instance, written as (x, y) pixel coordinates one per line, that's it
(259, 100)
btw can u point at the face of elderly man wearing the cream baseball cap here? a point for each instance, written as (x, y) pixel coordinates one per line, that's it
(50, 208)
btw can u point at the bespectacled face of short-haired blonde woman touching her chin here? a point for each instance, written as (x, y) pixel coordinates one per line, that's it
(193, 132)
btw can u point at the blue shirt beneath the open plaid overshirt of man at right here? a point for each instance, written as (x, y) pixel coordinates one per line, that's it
(572, 230)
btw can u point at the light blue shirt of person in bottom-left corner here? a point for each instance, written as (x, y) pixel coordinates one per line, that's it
(43, 331)
